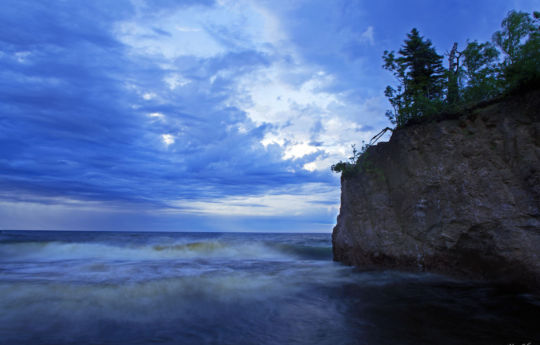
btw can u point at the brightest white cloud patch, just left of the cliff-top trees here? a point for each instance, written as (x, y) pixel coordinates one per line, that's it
(304, 113)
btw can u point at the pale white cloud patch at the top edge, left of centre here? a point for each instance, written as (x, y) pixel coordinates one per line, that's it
(202, 31)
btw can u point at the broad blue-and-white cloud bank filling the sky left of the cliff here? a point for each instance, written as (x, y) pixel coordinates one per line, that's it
(191, 110)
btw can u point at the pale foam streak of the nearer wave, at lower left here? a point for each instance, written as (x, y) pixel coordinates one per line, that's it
(138, 301)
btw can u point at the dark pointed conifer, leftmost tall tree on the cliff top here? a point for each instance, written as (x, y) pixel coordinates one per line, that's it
(420, 74)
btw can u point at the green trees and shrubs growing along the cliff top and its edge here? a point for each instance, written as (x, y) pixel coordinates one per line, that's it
(475, 74)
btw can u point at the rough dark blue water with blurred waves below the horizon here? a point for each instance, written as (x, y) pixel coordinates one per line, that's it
(212, 288)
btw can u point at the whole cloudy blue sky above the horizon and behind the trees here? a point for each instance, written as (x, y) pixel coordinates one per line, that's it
(185, 115)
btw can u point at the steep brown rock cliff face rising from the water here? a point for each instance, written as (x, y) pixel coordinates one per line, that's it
(459, 196)
